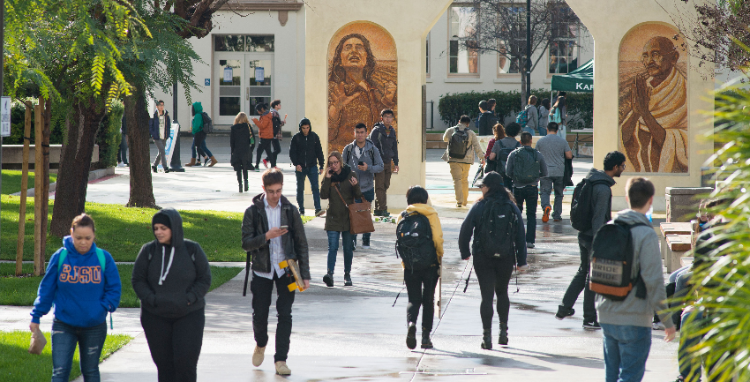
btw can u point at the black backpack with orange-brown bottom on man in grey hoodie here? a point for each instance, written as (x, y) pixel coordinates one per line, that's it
(612, 257)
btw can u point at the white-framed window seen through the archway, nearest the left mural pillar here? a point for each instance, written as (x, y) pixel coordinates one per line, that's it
(462, 22)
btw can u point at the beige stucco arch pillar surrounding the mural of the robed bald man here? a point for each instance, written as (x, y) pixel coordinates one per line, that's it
(609, 21)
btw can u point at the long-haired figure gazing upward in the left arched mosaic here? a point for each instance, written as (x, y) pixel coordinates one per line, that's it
(358, 89)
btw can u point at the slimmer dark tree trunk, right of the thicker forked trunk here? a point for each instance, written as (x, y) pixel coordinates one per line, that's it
(136, 116)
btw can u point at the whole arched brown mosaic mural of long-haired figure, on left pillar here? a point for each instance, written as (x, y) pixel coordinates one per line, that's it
(362, 80)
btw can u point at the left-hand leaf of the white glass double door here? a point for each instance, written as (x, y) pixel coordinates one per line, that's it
(228, 75)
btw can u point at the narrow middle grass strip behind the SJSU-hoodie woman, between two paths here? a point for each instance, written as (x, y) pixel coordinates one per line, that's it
(22, 291)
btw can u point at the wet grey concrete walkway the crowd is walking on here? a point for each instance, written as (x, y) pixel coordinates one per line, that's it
(354, 333)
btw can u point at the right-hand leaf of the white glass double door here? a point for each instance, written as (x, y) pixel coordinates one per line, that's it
(259, 88)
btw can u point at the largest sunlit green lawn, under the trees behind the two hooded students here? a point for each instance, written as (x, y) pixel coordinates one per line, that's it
(122, 231)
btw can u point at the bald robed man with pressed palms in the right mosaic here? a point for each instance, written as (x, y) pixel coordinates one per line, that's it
(653, 114)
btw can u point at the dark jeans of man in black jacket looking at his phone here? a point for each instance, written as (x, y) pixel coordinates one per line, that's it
(262, 288)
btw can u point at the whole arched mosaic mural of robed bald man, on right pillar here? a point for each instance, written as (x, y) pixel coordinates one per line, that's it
(653, 107)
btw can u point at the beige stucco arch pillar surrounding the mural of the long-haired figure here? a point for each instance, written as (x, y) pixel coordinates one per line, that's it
(408, 21)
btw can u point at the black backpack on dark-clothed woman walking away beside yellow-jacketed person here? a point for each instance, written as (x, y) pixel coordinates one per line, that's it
(496, 236)
